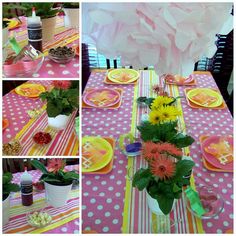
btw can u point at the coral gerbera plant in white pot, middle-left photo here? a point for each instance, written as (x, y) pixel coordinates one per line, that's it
(62, 100)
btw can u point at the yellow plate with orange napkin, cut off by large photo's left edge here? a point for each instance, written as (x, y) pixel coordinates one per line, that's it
(96, 152)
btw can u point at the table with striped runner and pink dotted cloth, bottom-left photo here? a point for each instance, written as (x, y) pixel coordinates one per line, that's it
(65, 219)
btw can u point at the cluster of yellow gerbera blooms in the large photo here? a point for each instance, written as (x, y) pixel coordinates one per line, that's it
(163, 113)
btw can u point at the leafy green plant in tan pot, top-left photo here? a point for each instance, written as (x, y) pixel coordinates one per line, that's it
(47, 14)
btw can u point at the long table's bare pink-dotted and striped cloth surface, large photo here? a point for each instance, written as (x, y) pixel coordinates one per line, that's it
(109, 202)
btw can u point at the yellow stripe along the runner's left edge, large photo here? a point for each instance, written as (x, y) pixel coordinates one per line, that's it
(125, 225)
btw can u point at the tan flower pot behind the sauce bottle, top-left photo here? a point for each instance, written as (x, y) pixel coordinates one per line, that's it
(48, 28)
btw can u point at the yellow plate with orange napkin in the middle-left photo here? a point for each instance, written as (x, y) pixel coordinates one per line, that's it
(30, 90)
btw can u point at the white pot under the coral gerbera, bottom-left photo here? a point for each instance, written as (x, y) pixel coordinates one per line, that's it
(57, 196)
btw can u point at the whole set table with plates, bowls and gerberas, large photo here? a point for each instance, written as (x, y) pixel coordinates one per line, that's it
(114, 172)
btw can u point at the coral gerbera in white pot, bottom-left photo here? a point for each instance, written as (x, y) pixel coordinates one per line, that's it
(57, 181)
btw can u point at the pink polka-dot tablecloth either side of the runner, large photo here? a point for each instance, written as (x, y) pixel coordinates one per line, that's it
(103, 195)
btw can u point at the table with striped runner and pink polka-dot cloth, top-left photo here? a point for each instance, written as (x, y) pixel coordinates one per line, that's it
(64, 36)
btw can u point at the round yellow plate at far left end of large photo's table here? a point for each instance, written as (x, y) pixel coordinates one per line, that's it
(116, 74)
